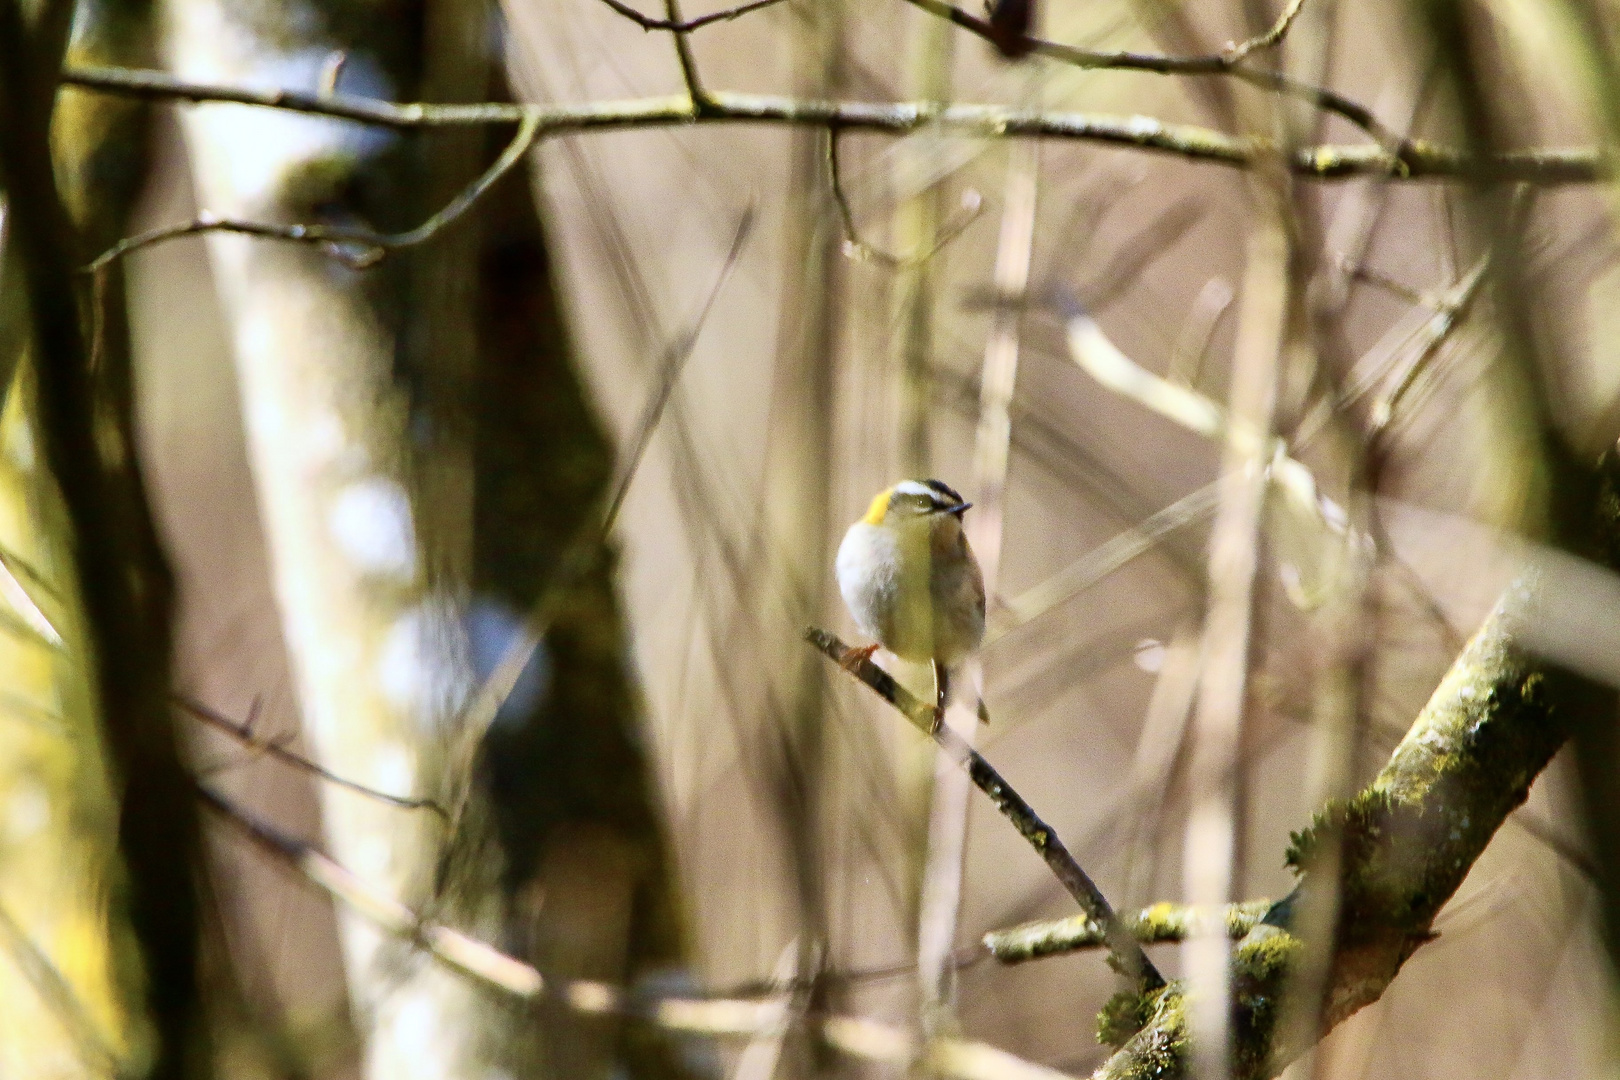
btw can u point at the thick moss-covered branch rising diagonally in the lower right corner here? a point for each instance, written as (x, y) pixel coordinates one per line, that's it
(1407, 843)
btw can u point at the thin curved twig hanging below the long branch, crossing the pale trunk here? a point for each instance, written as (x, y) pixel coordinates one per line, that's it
(341, 240)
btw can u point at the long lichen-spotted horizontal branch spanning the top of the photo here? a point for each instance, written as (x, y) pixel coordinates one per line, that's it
(1415, 161)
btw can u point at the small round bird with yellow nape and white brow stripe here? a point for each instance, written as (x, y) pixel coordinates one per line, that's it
(911, 580)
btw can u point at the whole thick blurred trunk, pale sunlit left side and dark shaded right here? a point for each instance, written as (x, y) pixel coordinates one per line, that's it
(424, 456)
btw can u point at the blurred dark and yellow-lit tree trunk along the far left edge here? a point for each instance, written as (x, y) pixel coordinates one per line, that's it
(111, 985)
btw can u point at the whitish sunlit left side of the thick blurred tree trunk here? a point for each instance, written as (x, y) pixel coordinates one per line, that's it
(354, 443)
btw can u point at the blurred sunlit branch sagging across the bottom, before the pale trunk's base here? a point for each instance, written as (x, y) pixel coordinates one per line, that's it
(464, 955)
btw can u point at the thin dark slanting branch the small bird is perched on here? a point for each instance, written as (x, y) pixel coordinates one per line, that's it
(1127, 953)
